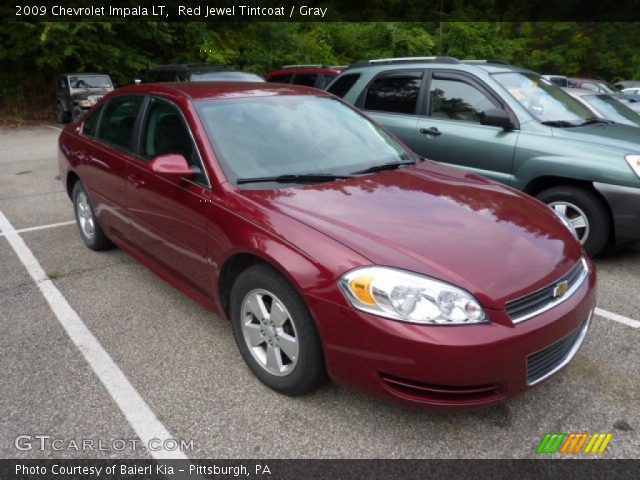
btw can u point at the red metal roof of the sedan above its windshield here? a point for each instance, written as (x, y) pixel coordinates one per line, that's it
(212, 90)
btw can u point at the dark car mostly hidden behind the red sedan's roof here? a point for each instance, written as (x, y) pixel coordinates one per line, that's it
(197, 72)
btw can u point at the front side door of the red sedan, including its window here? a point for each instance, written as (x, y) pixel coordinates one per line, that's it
(168, 218)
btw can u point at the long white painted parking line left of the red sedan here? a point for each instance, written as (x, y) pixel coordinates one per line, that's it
(135, 409)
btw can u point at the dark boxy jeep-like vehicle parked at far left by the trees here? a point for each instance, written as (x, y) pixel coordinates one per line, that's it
(78, 92)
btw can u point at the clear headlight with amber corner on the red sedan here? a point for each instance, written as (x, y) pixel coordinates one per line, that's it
(409, 297)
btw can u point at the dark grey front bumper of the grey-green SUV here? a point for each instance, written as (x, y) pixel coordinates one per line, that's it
(624, 203)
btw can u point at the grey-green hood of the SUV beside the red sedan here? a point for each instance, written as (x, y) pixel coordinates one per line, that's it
(625, 137)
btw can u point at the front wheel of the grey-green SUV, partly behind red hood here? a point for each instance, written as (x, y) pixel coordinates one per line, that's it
(584, 211)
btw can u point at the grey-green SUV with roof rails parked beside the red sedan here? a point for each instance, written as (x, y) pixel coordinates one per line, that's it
(514, 126)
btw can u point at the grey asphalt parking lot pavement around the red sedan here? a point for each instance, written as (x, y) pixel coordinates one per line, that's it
(183, 362)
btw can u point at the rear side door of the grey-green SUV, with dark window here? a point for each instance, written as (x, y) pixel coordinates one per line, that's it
(392, 99)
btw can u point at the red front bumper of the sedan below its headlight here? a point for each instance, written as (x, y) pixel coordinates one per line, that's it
(448, 367)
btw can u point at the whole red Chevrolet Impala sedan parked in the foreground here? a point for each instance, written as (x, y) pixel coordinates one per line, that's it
(330, 246)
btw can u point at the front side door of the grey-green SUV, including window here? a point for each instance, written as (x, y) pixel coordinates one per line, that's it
(451, 129)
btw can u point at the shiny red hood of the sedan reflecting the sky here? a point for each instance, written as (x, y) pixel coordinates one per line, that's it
(495, 242)
